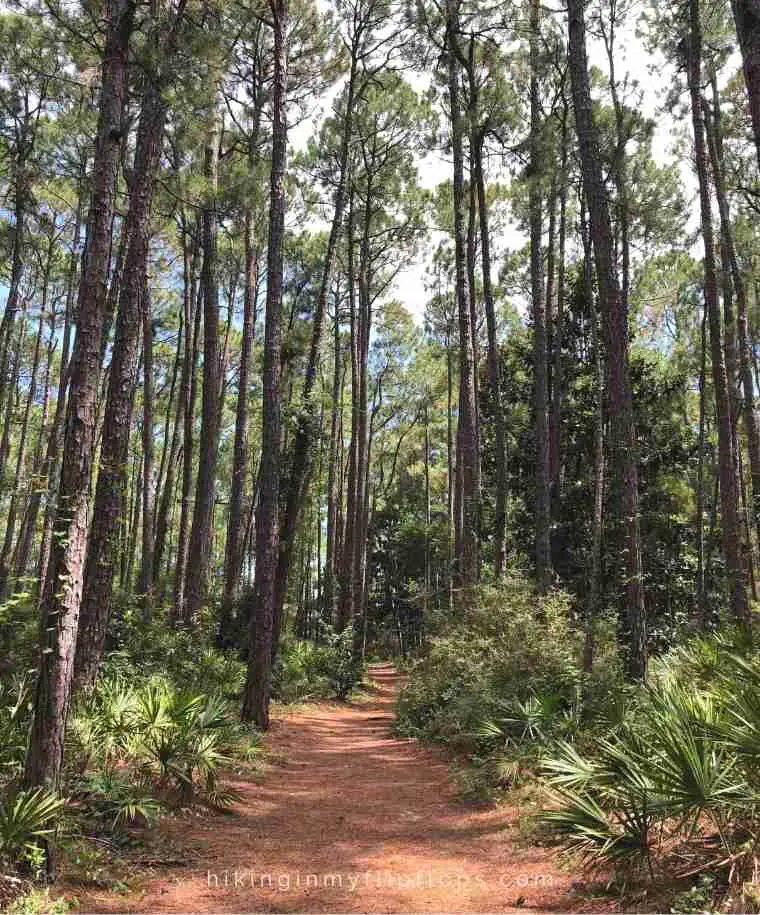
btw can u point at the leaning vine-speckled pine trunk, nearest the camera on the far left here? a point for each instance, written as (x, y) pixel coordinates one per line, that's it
(63, 585)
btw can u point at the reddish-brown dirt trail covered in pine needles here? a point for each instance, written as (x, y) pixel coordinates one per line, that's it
(349, 818)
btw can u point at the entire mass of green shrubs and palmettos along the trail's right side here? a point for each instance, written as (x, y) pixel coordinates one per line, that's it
(648, 785)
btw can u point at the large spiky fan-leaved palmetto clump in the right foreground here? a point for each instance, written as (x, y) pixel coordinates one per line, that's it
(680, 775)
